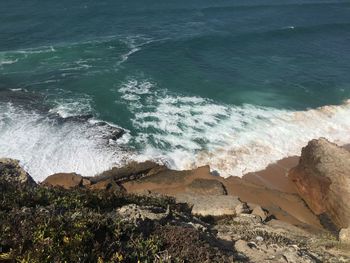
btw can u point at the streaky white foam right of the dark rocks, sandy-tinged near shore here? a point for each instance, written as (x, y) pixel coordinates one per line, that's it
(187, 132)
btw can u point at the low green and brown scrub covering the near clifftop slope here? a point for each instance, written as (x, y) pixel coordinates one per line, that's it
(46, 224)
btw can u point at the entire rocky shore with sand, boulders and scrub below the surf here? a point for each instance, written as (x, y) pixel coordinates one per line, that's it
(296, 210)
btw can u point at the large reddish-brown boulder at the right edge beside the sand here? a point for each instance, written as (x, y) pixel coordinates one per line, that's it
(322, 178)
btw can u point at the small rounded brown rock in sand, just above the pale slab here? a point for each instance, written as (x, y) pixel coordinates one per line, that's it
(206, 187)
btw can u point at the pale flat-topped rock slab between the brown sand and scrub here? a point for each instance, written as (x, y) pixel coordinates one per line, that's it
(206, 205)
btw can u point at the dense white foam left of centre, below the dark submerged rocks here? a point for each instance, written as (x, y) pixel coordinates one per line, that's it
(46, 146)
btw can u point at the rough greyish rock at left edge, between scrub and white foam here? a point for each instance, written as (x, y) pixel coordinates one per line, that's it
(11, 171)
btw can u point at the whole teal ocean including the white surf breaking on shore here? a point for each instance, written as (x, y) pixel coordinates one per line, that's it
(234, 84)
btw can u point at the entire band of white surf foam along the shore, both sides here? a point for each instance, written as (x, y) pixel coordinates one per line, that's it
(181, 131)
